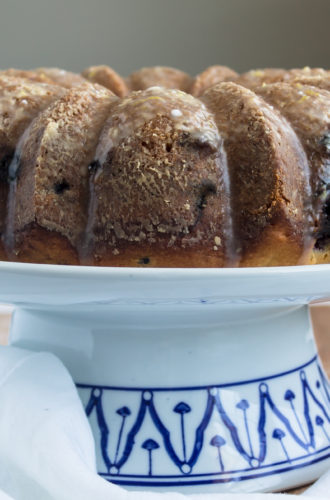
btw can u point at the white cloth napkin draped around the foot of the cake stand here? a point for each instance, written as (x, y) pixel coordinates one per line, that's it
(46, 445)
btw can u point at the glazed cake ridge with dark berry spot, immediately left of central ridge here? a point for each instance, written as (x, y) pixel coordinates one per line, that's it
(51, 188)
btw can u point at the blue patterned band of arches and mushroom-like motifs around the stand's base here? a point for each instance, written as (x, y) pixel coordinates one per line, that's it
(300, 437)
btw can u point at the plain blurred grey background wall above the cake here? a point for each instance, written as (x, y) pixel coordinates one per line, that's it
(190, 34)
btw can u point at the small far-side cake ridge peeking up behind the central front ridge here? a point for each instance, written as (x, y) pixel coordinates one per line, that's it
(160, 76)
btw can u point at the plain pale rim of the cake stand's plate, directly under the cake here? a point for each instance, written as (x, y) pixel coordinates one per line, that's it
(44, 284)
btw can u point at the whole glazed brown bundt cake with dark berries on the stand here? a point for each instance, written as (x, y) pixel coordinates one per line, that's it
(164, 170)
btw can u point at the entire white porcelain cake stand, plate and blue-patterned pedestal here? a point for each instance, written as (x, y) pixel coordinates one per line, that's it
(196, 380)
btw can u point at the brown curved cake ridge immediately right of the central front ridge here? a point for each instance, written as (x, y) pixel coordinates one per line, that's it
(269, 184)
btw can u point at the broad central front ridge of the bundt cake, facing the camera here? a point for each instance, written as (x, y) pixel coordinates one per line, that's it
(159, 182)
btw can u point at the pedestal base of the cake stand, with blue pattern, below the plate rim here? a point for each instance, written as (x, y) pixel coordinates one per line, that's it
(207, 397)
